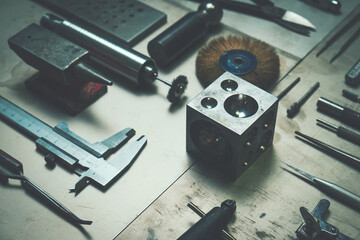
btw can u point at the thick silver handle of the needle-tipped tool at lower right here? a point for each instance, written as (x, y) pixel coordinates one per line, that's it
(340, 193)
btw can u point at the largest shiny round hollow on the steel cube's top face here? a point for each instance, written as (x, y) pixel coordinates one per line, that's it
(241, 105)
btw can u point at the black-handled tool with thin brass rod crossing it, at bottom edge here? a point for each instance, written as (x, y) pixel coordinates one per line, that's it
(212, 223)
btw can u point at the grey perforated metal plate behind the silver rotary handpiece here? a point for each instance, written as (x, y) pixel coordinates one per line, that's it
(121, 21)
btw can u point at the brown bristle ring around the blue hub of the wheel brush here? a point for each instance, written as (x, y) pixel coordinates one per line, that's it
(263, 76)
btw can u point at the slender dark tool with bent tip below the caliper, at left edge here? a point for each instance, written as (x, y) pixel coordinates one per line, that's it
(12, 168)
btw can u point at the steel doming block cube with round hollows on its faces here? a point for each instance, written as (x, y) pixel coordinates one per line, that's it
(230, 124)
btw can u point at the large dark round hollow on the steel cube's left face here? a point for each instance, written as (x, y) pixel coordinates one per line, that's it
(210, 141)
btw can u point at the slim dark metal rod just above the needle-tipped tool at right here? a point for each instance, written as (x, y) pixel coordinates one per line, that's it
(332, 151)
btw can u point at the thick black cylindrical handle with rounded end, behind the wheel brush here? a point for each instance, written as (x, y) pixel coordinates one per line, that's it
(181, 35)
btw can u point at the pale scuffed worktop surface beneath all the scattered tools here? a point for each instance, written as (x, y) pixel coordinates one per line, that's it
(149, 201)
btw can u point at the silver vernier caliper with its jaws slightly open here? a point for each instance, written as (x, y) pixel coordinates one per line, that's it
(84, 158)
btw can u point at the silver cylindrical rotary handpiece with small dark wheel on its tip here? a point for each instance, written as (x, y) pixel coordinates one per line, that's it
(120, 60)
